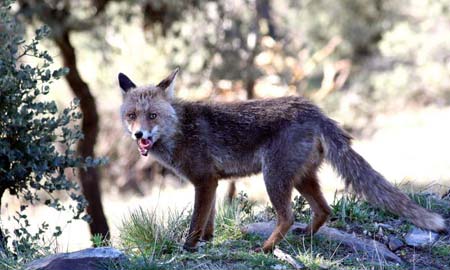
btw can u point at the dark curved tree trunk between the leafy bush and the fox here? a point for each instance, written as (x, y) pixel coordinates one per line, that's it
(90, 179)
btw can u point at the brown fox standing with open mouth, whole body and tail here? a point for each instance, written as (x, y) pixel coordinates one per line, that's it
(285, 138)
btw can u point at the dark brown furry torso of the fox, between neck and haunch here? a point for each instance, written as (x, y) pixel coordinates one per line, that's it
(233, 135)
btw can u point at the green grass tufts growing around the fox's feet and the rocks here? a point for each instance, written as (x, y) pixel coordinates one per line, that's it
(153, 240)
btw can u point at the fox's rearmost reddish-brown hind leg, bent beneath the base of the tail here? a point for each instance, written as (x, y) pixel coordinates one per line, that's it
(309, 188)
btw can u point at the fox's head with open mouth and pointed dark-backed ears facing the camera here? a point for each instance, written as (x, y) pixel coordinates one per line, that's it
(146, 111)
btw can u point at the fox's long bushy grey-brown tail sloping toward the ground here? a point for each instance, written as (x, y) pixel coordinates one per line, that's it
(368, 183)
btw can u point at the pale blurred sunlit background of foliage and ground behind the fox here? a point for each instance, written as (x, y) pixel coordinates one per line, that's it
(380, 68)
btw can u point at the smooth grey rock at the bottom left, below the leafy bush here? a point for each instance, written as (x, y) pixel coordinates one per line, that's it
(86, 259)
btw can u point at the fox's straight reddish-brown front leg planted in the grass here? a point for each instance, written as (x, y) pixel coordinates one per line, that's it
(204, 199)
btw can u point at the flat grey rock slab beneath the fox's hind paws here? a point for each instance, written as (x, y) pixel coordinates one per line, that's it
(372, 248)
